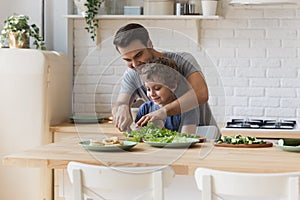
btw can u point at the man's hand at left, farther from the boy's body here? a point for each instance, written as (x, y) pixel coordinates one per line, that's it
(122, 117)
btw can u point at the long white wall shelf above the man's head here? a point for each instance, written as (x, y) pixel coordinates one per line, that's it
(148, 17)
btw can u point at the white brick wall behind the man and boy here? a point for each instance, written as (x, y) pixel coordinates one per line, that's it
(251, 60)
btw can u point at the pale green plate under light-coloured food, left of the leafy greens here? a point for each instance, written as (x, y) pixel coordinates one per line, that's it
(126, 146)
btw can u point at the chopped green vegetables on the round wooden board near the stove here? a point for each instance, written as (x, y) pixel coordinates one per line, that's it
(238, 139)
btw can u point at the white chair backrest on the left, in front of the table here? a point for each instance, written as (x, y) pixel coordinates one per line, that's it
(101, 182)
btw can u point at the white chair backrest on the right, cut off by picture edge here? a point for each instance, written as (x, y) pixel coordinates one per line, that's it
(215, 184)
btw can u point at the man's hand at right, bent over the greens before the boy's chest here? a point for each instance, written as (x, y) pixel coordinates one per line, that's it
(156, 116)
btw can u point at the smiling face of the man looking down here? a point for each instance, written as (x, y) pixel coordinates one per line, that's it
(135, 54)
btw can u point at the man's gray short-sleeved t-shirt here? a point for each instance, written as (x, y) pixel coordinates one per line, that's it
(132, 84)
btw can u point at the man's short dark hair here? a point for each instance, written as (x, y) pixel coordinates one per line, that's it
(130, 32)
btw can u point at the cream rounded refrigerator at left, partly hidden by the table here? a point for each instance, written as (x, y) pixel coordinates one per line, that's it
(35, 93)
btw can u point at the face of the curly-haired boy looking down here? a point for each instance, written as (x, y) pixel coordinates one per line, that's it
(159, 93)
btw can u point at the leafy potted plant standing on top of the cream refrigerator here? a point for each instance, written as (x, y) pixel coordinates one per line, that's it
(17, 31)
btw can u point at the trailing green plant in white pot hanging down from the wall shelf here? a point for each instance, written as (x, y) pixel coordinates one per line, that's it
(90, 10)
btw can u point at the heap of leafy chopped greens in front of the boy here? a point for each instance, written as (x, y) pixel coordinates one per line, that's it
(151, 133)
